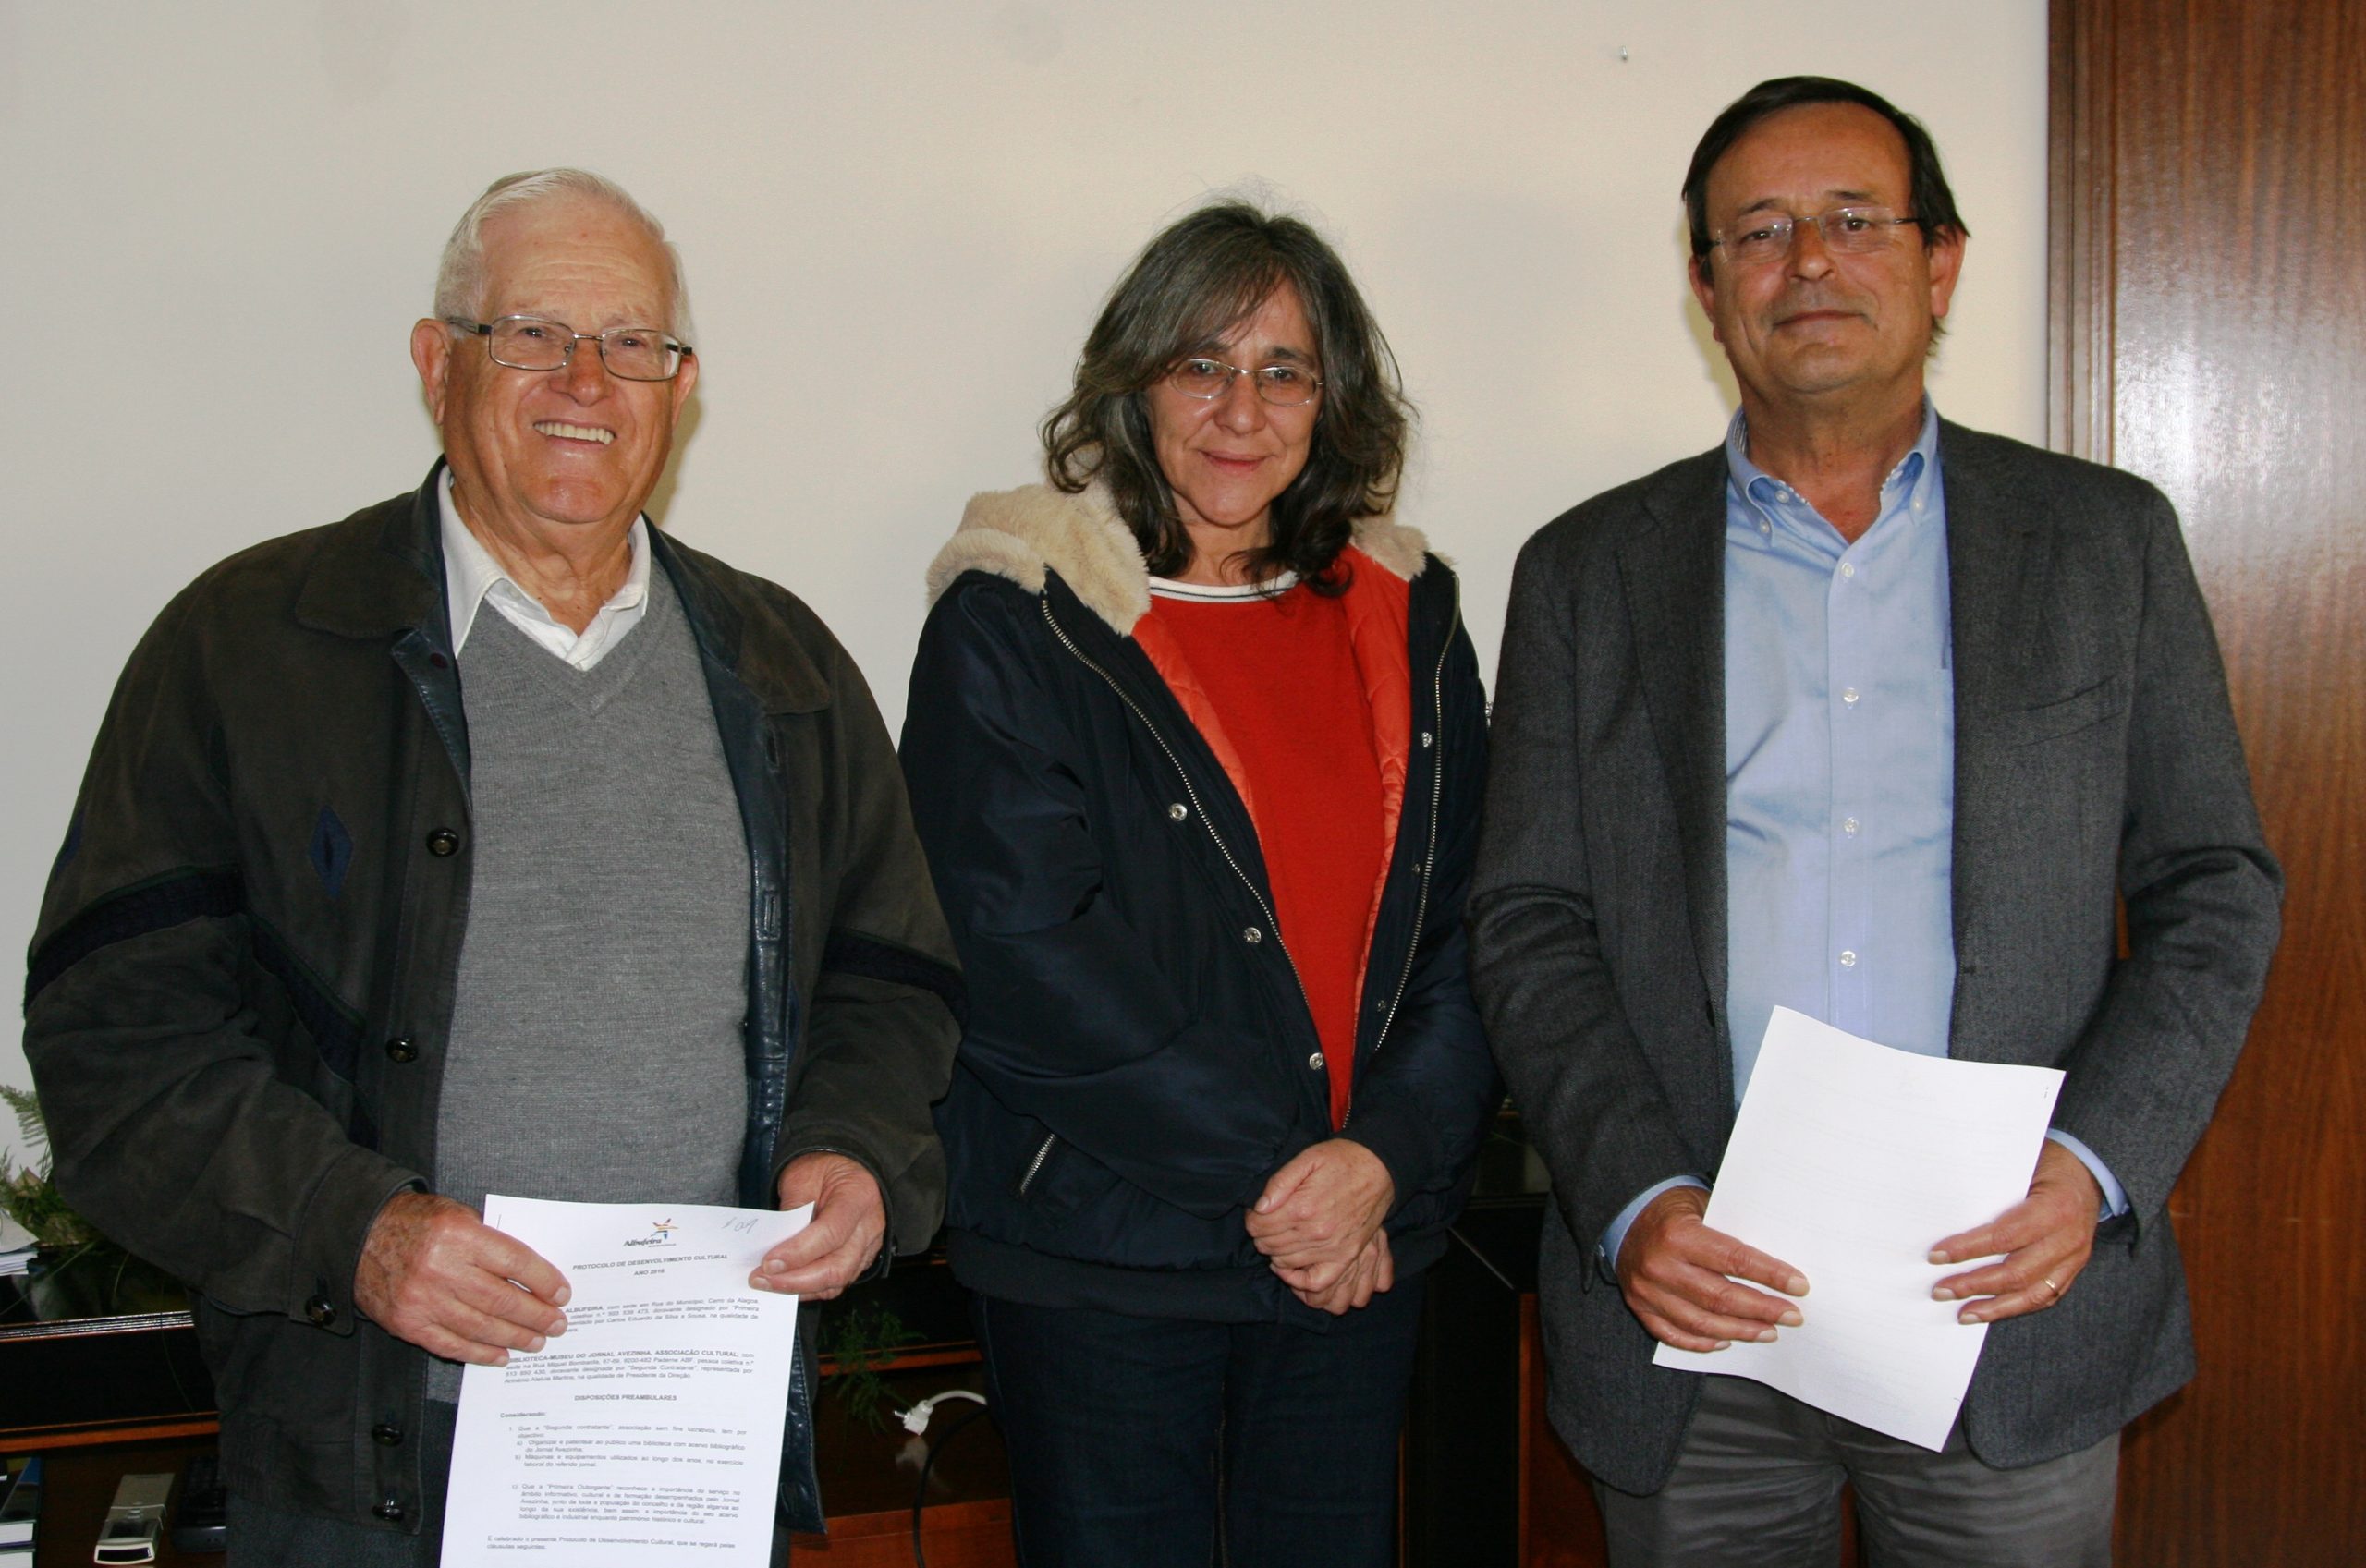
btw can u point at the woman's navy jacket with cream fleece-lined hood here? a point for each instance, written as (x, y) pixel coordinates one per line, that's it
(1139, 1056)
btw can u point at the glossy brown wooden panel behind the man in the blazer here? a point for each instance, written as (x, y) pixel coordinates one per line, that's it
(2211, 335)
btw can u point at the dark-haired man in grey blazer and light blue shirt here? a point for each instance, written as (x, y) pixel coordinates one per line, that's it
(1875, 718)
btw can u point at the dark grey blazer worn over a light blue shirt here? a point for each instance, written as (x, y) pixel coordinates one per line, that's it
(2095, 758)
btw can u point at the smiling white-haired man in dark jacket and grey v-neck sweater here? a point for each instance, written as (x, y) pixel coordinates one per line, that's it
(481, 843)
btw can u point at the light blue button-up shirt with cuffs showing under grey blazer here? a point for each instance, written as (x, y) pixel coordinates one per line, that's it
(1840, 770)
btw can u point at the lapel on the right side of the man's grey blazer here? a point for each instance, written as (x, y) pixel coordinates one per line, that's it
(1996, 569)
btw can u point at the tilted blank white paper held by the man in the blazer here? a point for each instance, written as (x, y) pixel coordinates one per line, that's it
(1849, 1160)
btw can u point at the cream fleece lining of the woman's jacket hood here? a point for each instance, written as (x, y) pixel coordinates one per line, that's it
(1019, 533)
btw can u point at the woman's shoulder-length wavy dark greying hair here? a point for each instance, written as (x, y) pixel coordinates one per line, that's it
(1189, 290)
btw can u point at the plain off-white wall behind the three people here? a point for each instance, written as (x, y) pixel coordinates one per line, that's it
(900, 219)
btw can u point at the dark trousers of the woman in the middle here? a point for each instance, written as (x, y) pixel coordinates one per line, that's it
(1149, 1441)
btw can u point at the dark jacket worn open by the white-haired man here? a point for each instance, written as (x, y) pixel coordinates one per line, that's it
(243, 978)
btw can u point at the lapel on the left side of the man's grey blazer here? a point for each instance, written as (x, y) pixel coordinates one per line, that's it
(1674, 581)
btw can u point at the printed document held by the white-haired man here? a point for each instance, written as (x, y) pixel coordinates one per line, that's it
(652, 1430)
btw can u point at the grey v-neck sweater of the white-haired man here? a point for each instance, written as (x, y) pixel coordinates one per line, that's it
(597, 1047)
